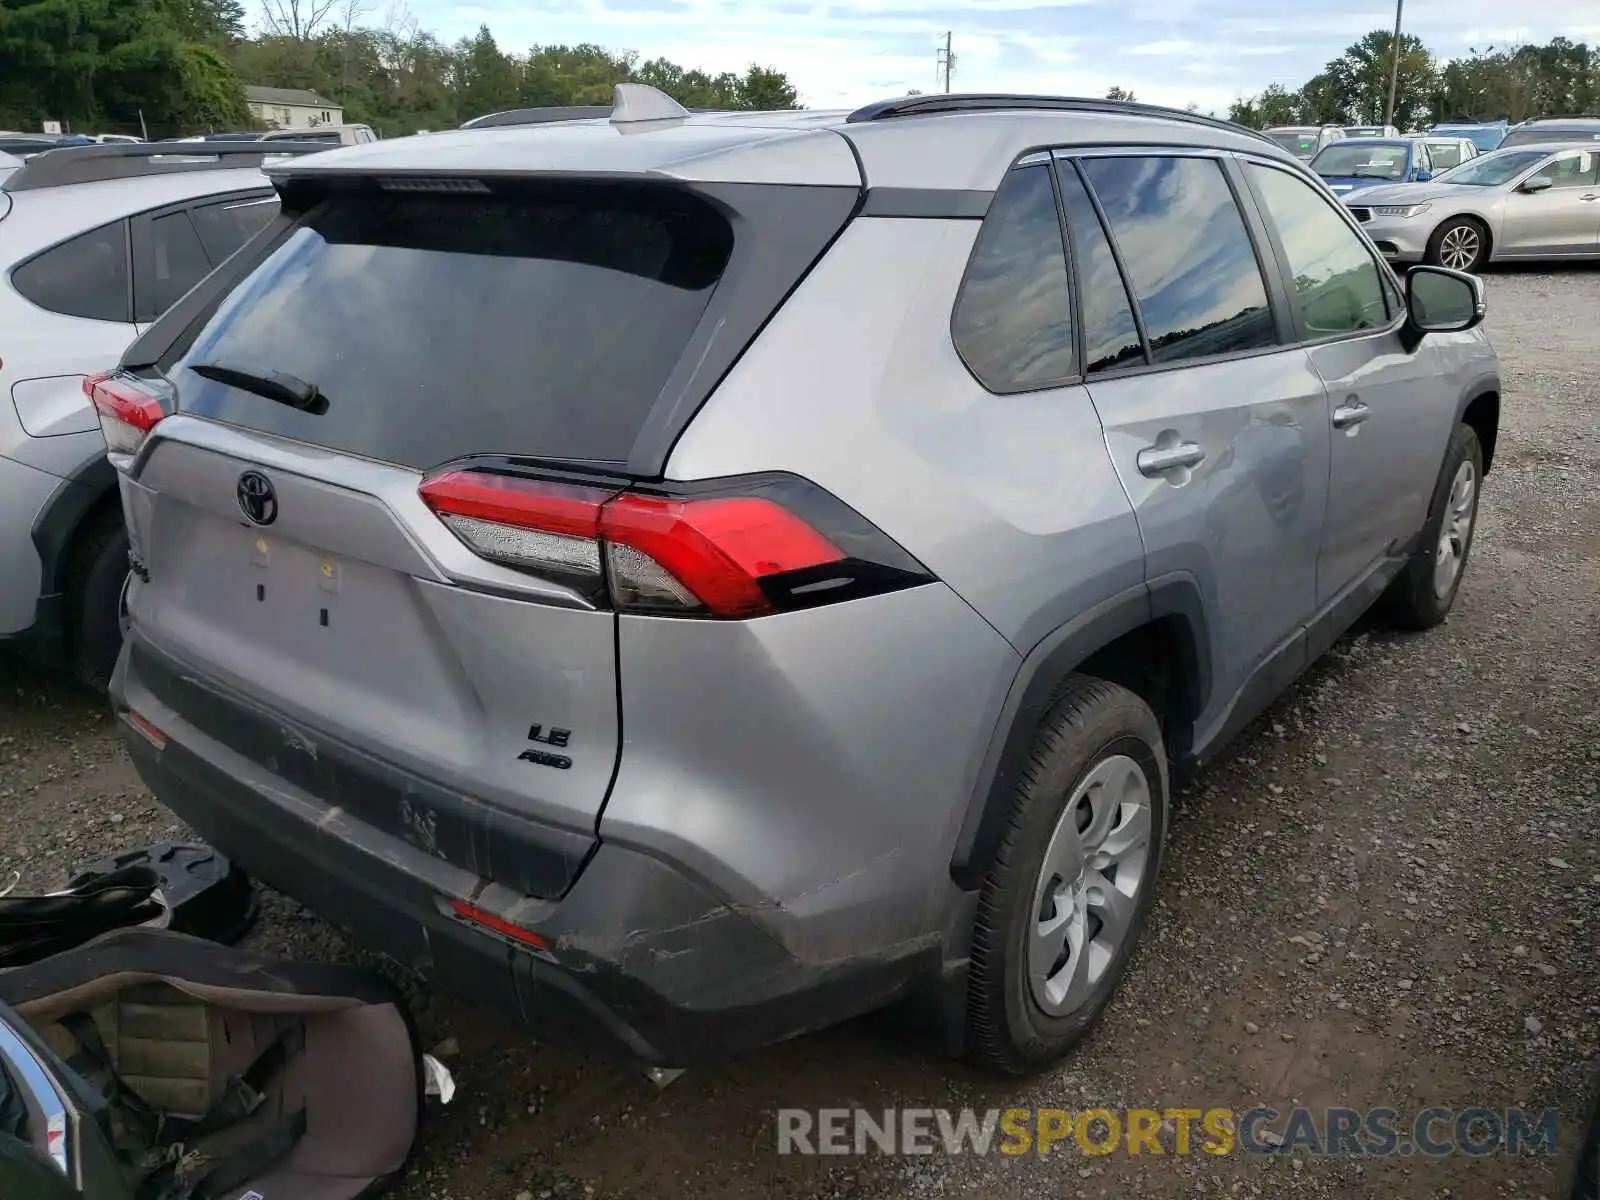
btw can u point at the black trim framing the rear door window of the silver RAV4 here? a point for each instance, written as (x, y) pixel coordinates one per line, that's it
(1266, 254)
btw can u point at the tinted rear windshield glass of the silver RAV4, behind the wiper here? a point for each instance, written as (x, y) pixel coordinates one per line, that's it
(538, 324)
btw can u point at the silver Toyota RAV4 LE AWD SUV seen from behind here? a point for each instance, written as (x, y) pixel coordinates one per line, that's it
(714, 575)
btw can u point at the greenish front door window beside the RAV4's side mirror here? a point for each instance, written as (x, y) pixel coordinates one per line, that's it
(1337, 281)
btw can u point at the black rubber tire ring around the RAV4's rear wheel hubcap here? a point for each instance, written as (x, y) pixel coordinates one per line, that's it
(1089, 724)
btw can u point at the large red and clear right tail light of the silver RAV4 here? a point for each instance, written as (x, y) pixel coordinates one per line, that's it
(737, 550)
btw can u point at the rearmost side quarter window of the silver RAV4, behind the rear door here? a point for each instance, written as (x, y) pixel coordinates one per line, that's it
(1014, 318)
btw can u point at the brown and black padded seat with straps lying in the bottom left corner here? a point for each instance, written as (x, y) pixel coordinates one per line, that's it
(223, 1074)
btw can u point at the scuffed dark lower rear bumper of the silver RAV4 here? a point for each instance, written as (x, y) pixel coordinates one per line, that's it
(636, 956)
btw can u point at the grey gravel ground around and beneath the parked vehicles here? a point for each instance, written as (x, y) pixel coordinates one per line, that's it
(1385, 895)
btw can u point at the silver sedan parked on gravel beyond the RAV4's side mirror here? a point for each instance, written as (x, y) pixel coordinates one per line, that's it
(1514, 204)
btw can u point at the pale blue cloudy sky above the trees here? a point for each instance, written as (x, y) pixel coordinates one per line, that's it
(1169, 52)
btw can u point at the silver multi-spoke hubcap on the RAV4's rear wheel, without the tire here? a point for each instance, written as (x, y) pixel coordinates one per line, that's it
(1089, 886)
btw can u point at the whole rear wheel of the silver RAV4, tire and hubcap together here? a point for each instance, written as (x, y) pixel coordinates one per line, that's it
(1073, 881)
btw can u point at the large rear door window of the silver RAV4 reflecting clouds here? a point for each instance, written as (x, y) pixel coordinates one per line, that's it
(1188, 255)
